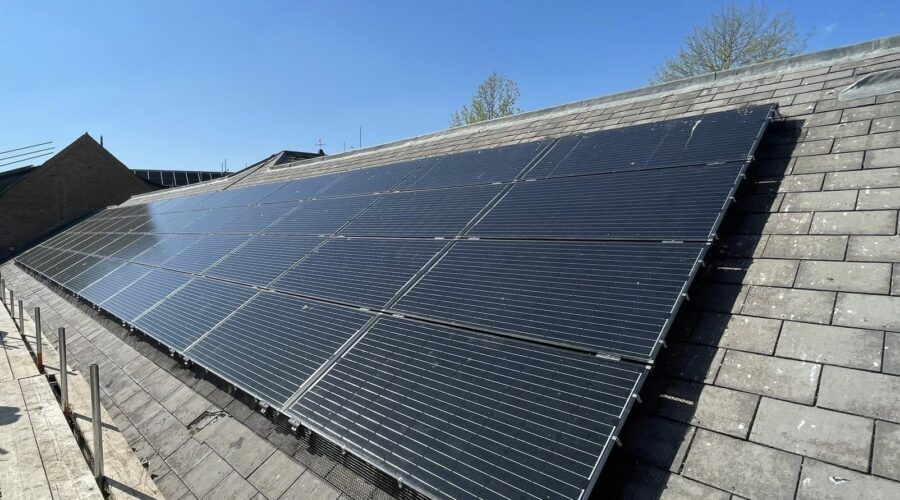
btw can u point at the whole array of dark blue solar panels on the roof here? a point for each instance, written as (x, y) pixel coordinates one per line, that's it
(475, 324)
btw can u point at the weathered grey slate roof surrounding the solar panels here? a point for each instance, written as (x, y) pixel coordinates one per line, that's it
(781, 378)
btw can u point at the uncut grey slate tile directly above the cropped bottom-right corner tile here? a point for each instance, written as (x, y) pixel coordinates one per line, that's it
(826, 435)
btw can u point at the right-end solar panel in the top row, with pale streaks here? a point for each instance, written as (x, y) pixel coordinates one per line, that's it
(727, 136)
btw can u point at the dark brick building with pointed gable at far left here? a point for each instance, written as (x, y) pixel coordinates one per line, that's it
(78, 180)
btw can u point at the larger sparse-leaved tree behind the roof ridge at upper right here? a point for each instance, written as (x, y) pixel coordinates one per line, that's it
(732, 38)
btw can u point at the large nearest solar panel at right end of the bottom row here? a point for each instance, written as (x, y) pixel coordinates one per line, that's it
(464, 415)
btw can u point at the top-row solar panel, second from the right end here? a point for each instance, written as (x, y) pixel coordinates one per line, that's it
(484, 166)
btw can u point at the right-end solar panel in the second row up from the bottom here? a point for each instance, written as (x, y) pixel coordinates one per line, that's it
(606, 297)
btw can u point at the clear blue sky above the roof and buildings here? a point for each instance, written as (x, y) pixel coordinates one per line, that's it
(182, 85)
